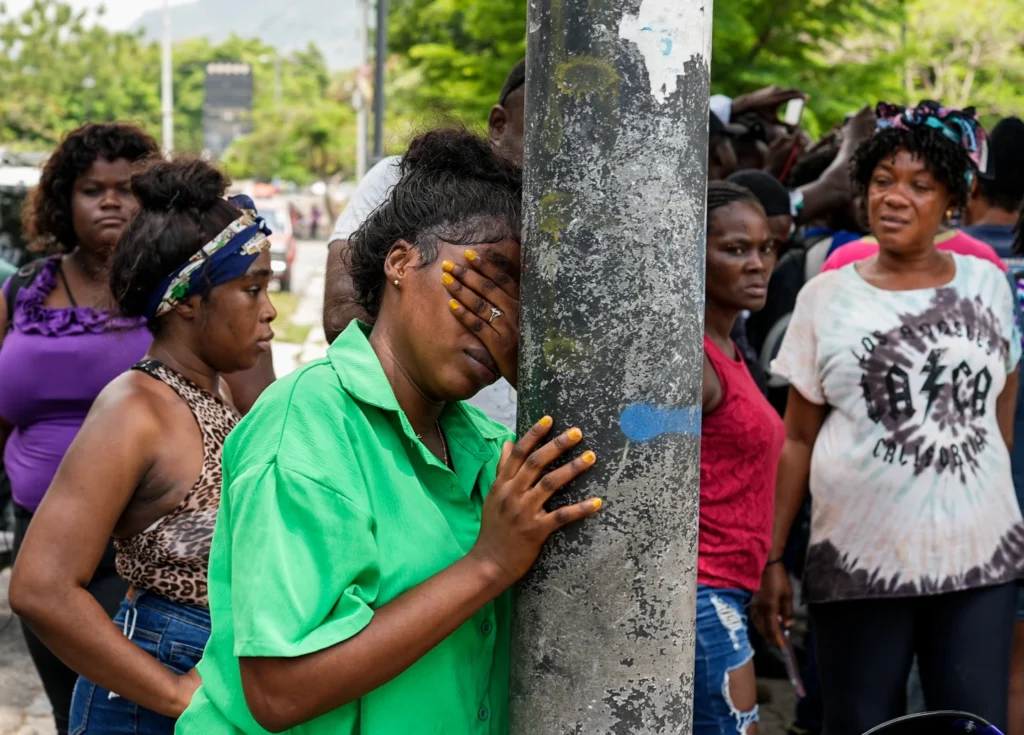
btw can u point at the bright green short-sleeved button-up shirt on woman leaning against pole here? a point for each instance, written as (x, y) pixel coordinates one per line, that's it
(332, 508)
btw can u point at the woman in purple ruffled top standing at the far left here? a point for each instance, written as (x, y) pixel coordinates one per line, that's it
(63, 344)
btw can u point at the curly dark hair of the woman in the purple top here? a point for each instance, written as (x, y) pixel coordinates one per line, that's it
(50, 215)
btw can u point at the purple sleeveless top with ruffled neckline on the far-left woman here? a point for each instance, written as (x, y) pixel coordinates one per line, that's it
(53, 366)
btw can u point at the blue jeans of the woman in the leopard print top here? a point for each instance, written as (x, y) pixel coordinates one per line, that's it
(174, 634)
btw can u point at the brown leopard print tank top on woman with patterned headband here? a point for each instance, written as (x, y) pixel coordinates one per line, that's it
(170, 557)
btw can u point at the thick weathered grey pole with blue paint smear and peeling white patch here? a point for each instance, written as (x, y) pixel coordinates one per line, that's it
(613, 324)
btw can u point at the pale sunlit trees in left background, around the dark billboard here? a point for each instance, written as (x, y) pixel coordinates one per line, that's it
(59, 69)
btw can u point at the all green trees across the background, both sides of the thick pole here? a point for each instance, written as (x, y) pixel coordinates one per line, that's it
(449, 58)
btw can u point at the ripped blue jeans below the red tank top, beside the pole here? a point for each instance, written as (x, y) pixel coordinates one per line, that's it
(722, 646)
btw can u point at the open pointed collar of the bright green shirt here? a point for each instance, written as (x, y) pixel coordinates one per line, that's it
(363, 377)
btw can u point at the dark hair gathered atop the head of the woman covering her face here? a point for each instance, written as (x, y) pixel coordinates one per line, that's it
(461, 155)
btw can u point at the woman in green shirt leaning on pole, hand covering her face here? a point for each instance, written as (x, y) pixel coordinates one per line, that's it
(371, 524)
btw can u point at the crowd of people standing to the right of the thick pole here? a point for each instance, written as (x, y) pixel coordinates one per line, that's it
(892, 359)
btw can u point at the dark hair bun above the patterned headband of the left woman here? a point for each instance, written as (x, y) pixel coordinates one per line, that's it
(181, 185)
